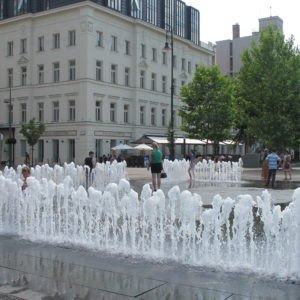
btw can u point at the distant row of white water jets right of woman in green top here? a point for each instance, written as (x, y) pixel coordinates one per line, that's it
(204, 171)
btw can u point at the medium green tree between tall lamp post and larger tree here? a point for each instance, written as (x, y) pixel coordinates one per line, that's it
(207, 111)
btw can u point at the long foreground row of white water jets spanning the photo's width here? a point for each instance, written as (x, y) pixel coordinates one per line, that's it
(243, 234)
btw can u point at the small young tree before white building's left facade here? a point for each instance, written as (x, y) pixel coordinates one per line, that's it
(32, 131)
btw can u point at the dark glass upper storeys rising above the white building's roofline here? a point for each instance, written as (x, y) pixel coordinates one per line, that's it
(167, 14)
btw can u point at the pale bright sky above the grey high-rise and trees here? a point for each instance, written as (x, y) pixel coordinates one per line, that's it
(218, 16)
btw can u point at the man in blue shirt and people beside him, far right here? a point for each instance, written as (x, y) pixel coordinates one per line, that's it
(271, 161)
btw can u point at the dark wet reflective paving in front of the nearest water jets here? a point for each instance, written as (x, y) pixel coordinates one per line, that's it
(34, 271)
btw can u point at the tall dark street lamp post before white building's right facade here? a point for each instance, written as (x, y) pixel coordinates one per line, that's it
(167, 47)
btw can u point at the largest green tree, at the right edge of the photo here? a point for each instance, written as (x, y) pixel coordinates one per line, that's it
(268, 91)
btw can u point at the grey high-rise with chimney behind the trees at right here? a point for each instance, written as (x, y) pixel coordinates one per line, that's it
(228, 52)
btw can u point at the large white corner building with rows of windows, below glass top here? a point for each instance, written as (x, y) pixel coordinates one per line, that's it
(94, 76)
